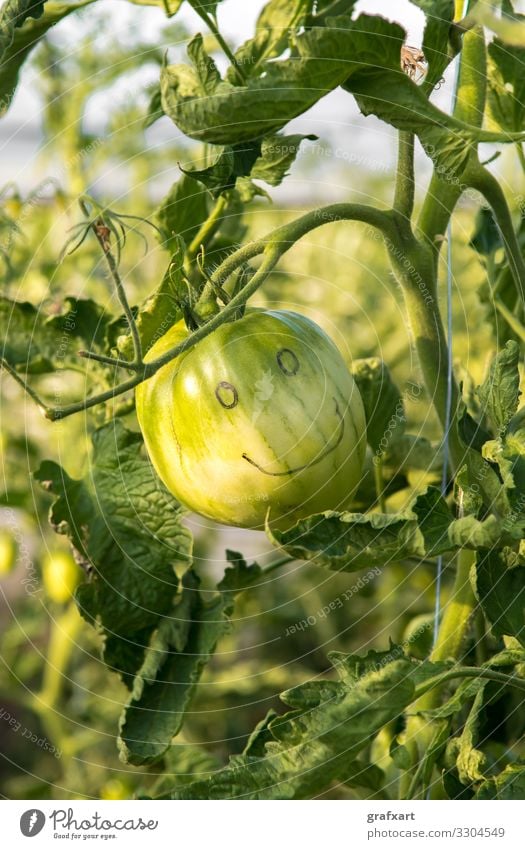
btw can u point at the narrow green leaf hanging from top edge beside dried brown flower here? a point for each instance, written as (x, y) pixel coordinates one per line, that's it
(436, 44)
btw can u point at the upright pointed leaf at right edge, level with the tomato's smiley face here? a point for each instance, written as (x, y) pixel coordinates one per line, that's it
(500, 391)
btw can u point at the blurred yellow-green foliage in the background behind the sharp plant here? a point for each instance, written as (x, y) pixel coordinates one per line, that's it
(60, 703)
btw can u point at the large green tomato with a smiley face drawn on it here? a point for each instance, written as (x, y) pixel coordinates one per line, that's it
(263, 414)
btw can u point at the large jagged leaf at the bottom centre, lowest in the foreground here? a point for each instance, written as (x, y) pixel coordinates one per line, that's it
(304, 750)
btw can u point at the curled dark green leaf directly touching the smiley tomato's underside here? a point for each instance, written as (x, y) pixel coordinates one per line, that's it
(346, 542)
